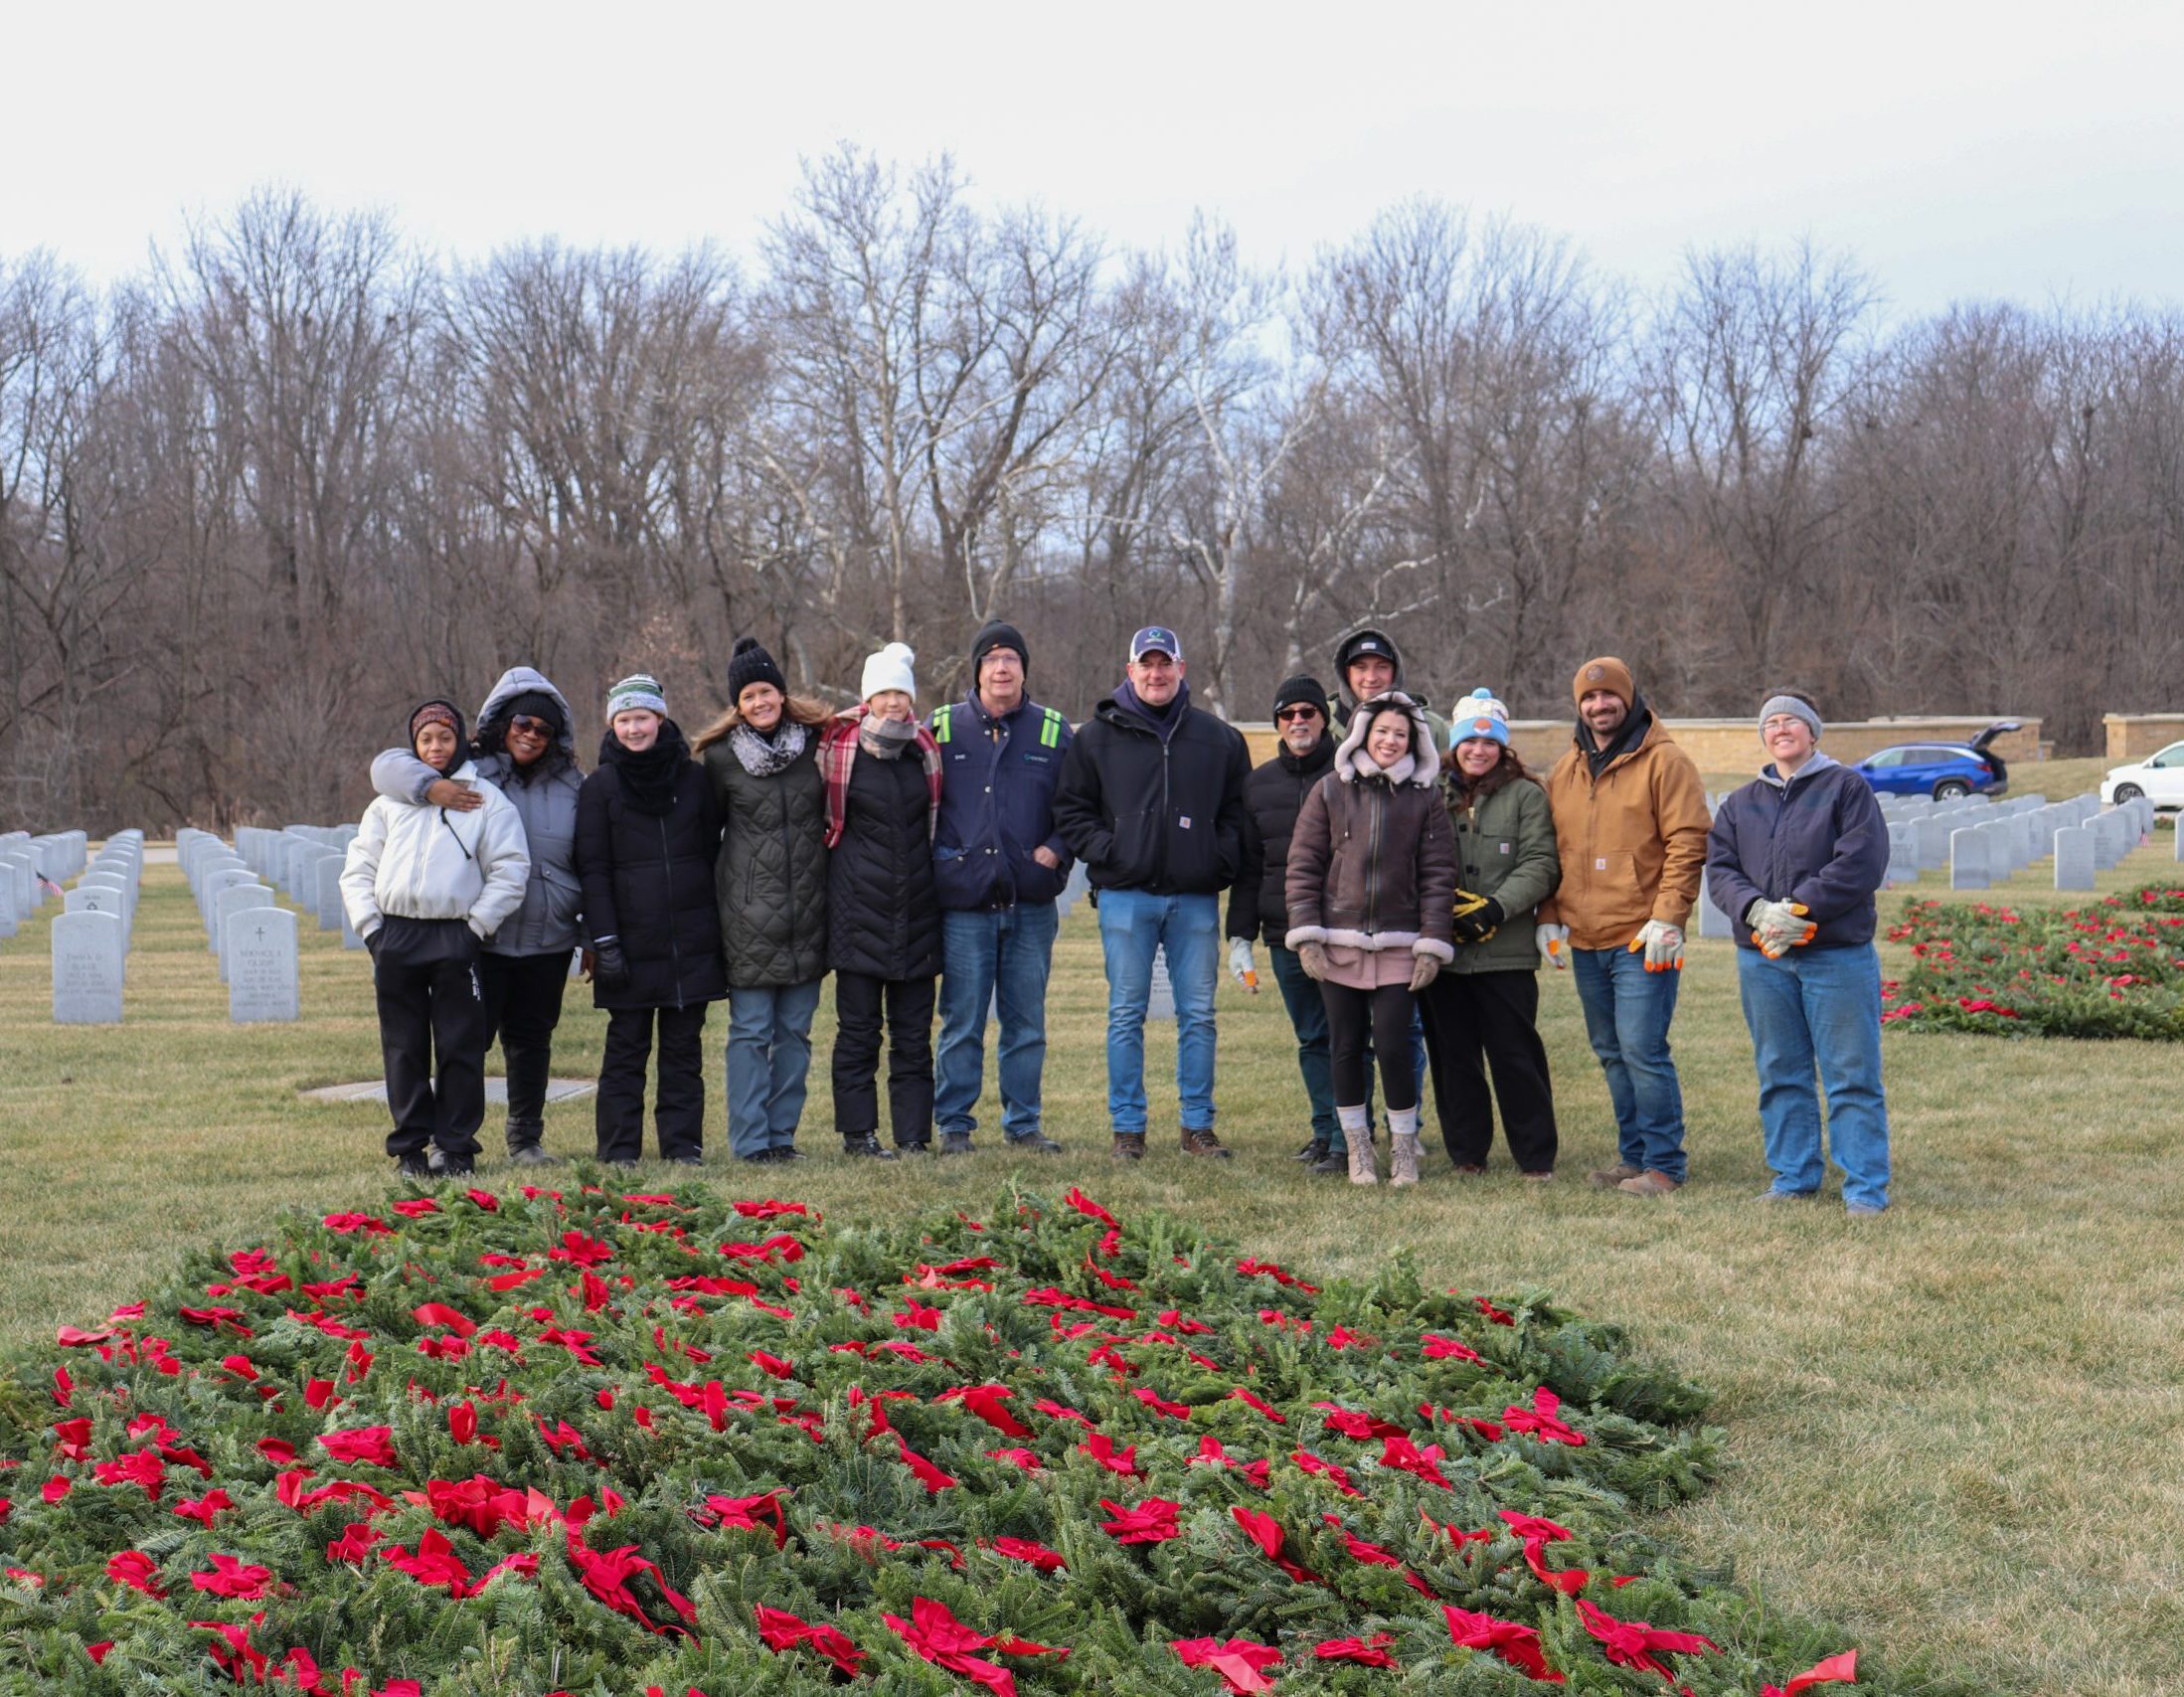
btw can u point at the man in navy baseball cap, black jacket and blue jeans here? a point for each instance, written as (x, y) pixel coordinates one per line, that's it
(1152, 803)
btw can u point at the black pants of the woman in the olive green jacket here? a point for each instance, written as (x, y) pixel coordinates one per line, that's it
(1477, 1021)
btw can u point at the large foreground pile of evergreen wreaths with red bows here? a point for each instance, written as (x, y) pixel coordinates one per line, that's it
(591, 1443)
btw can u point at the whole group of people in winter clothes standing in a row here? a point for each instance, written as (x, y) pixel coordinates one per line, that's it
(1410, 879)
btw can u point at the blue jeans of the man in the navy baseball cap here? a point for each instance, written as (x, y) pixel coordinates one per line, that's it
(1132, 925)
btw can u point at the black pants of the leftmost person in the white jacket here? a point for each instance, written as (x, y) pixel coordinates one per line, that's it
(425, 975)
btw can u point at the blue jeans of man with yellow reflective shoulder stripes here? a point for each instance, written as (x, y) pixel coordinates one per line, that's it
(995, 958)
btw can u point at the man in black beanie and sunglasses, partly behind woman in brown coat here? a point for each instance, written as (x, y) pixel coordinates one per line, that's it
(1259, 901)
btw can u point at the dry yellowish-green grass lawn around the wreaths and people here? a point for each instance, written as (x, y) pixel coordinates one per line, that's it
(1951, 1429)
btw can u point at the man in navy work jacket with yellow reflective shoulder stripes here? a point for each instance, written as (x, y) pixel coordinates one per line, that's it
(999, 868)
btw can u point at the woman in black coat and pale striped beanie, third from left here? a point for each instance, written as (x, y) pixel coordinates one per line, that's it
(648, 835)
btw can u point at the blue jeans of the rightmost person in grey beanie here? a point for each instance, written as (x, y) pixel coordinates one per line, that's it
(1820, 1008)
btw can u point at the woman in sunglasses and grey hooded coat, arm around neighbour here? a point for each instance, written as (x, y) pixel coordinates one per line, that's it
(527, 750)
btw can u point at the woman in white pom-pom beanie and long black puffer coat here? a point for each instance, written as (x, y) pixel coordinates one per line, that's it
(881, 772)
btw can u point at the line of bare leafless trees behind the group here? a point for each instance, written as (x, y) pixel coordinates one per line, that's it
(261, 497)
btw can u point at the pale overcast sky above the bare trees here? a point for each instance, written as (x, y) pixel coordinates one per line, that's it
(1958, 152)
